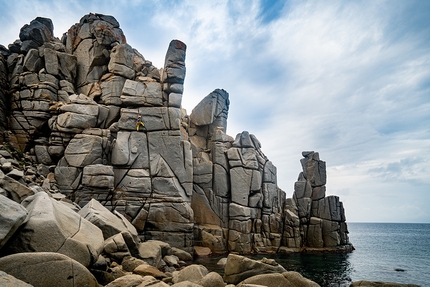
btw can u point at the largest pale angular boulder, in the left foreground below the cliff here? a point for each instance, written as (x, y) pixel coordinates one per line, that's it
(53, 227)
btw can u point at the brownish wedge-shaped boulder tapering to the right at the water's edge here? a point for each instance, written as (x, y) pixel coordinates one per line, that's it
(238, 268)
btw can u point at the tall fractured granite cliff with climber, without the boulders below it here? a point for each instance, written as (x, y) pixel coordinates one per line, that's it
(97, 124)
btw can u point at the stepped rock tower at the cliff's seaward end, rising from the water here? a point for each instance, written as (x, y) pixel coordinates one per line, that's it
(313, 220)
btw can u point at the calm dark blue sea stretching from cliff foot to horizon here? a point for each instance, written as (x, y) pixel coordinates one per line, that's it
(389, 252)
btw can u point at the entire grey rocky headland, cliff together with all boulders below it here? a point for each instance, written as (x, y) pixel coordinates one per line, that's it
(105, 178)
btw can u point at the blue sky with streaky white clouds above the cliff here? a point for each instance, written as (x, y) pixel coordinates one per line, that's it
(349, 79)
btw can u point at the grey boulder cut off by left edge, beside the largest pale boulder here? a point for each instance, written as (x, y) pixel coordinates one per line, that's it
(12, 215)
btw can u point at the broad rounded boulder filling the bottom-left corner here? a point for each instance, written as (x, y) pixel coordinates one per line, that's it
(42, 269)
